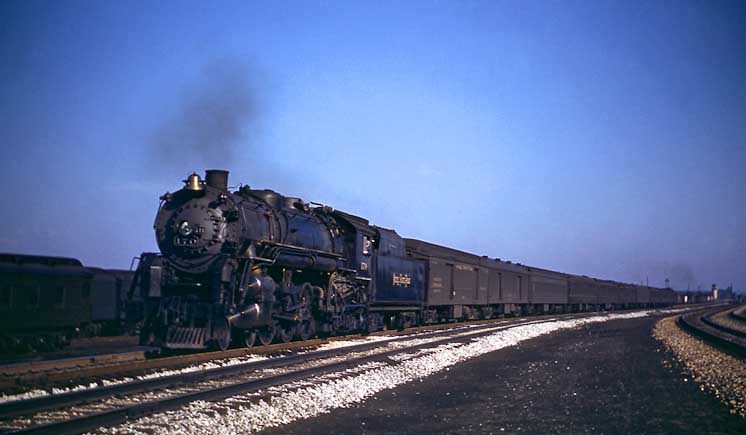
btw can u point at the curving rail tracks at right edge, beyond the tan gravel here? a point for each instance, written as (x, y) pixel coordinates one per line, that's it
(712, 325)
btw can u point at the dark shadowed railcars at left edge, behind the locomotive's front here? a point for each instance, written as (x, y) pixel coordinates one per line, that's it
(46, 301)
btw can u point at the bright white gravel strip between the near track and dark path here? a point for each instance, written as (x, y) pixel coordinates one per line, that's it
(284, 404)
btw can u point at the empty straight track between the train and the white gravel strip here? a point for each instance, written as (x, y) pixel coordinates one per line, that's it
(115, 404)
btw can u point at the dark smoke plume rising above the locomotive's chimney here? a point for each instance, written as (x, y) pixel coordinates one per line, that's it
(214, 115)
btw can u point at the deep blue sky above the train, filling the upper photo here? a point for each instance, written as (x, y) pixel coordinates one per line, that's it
(593, 137)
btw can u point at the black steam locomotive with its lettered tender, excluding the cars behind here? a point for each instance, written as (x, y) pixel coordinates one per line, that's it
(255, 265)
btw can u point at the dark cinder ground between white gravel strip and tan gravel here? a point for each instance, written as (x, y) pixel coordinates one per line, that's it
(605, 378)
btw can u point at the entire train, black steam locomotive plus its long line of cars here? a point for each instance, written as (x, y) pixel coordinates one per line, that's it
(254, 266)
